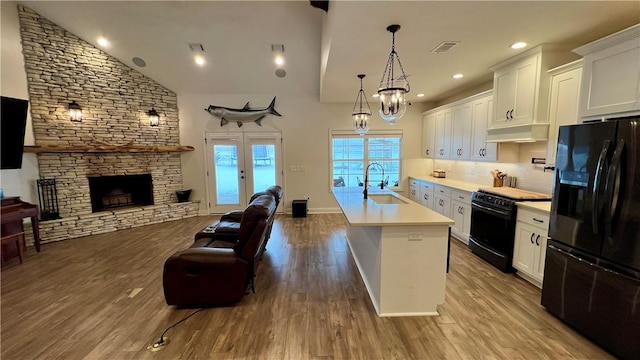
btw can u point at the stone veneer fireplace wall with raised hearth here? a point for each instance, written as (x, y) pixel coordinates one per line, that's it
(115, 100)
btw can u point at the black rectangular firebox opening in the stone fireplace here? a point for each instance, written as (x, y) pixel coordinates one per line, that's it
(109, 192)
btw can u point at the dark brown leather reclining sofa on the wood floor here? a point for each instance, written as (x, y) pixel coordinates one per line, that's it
(218, 272)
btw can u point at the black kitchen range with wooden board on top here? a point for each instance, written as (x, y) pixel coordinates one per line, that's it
(493, 223)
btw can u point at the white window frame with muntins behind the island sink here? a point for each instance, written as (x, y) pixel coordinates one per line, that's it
(344, 134)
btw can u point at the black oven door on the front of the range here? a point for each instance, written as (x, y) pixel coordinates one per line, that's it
(492, 235)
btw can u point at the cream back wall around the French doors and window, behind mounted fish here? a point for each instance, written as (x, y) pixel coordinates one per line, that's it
(304, 124)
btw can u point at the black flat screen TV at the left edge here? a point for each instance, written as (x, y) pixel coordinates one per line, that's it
(13, 121)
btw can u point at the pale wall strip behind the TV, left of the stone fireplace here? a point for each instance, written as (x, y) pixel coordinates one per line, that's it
(13, 83)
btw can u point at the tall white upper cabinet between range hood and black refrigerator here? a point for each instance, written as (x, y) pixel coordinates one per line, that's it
(563, 103)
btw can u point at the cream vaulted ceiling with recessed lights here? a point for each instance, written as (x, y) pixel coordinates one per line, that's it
(325, 51)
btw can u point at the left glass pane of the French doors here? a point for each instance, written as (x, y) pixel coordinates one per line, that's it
(226, 167)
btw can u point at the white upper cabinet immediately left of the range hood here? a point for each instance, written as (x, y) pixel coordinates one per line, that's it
(481, 112)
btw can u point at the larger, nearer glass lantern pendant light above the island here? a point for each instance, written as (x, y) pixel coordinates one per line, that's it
(393, 87)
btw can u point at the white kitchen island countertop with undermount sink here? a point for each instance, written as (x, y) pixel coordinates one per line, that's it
(361, 212)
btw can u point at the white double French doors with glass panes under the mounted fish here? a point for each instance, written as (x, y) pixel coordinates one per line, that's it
(239, 165)
